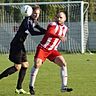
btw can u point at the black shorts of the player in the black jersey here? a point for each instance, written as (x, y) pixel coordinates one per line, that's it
(16, 55)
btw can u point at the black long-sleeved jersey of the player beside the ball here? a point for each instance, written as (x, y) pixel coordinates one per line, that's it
(27, 26)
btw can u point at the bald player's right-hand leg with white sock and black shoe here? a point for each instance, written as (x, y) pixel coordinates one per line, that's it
(60, 61)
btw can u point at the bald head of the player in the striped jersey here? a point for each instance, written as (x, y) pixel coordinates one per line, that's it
(60, 17)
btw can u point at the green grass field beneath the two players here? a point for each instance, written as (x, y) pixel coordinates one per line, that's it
(81, 71)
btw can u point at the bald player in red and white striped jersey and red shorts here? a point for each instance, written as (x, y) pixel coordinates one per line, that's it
(47, 49)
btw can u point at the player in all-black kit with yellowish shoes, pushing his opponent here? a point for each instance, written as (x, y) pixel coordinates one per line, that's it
(17, 50)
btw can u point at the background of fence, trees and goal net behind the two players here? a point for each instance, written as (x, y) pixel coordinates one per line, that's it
(10, 19)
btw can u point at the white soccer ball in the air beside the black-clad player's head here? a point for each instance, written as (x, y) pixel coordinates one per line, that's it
(26, 10)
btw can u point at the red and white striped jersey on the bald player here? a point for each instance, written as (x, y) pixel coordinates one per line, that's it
(51, 39)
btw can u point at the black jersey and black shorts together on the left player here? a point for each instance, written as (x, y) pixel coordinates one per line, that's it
(17, 52)
